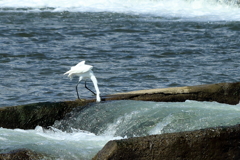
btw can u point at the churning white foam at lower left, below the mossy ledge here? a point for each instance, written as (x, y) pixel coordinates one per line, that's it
(53, 142)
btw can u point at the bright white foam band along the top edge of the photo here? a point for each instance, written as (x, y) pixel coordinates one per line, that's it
(180, 9)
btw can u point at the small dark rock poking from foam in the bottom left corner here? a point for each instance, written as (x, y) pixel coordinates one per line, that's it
(21, 154)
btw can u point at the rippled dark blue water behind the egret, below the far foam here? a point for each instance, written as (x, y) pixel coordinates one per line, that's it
(128, 52)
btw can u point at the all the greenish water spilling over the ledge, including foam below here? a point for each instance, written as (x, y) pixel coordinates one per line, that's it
(82, 133)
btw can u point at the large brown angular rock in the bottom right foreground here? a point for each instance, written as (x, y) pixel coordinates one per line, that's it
(218, 143)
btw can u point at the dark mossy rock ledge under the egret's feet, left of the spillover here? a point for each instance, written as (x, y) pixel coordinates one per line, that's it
(31, 115)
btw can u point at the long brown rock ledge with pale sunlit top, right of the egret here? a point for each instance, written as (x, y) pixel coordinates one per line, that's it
(228, 93)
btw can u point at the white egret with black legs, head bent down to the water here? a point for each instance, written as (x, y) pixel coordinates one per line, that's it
(84, 72)
